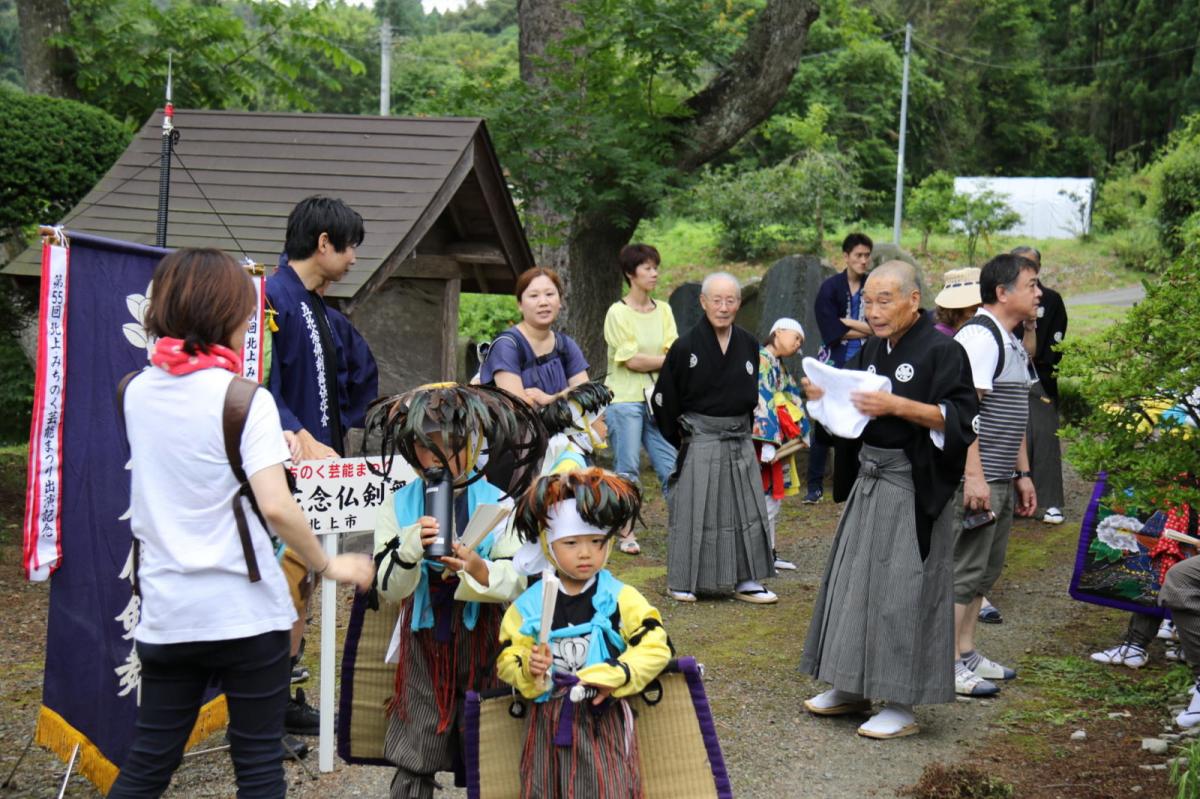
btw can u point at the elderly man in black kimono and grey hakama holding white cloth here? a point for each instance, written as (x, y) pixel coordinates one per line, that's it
(884, 622)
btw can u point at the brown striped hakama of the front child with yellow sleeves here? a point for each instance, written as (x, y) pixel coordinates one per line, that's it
(601, 761)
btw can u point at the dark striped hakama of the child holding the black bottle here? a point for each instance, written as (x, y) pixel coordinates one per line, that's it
(433, 678)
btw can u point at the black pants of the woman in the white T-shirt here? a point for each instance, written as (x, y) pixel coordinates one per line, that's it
(254, 675)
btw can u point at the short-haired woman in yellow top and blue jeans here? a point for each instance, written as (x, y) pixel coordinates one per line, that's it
(639, 332)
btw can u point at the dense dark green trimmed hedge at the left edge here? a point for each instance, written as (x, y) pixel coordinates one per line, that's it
(51, 155)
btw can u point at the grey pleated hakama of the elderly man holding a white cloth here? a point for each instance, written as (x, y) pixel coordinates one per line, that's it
(884, 622)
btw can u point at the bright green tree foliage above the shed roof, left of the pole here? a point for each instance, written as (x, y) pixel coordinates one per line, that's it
(253, 56)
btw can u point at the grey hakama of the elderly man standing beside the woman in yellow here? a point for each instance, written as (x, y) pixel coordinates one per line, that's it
(718, 531)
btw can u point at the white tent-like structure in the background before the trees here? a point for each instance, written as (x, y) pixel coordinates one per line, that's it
(1051, 208)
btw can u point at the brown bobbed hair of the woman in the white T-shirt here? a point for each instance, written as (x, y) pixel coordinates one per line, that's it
(201, 296)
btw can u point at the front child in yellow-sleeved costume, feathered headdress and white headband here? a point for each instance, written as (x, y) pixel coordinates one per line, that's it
(604, 635)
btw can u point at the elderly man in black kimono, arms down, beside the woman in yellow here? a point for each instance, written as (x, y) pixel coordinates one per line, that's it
(704, 404)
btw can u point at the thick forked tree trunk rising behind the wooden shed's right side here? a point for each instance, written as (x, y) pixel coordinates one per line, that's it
(739, 99)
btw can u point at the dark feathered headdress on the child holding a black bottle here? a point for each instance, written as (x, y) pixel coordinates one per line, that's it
(476, 419)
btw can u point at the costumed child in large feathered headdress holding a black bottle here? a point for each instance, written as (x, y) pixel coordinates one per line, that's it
(446, 639)
